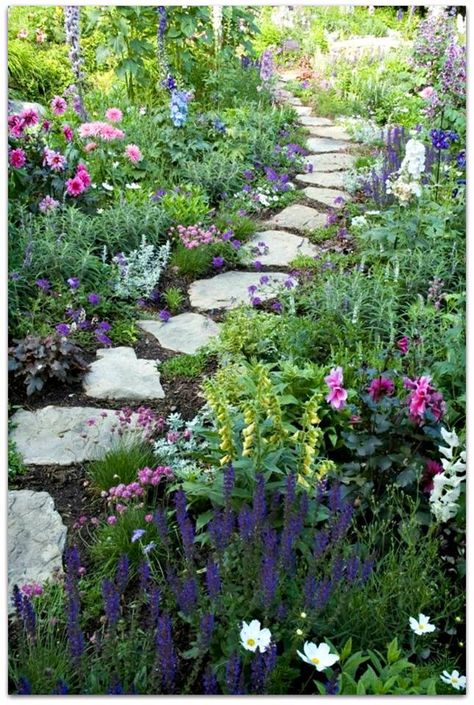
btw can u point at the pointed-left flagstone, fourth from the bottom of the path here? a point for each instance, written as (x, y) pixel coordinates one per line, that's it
(185, 333)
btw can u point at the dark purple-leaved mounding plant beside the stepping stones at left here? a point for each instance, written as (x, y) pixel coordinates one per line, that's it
(38, 360)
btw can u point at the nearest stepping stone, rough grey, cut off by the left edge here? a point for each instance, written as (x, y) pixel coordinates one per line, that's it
(36, 538)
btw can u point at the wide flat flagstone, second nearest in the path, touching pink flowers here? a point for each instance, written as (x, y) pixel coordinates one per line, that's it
(64, 435)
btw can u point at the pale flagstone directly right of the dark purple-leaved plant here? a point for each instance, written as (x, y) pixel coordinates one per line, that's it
(119, 374)
